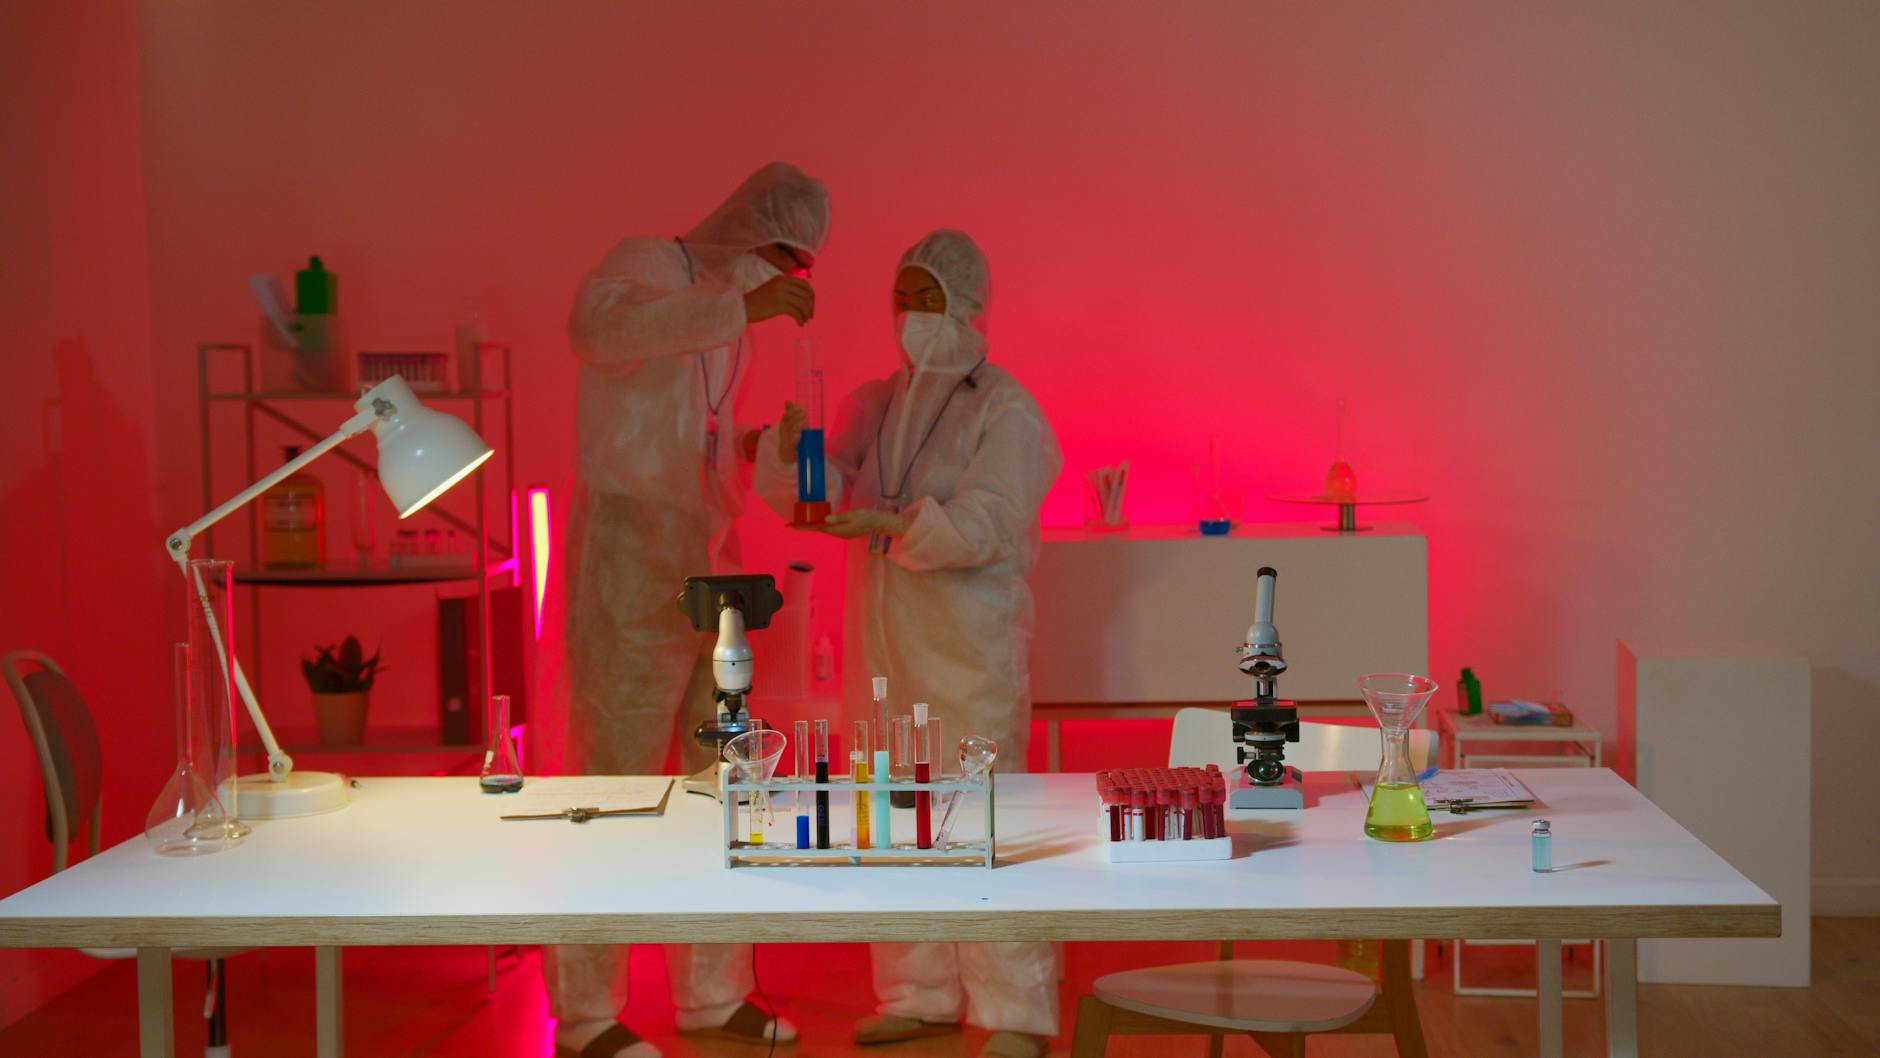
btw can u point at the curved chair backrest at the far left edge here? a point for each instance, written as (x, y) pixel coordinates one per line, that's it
(67, 745)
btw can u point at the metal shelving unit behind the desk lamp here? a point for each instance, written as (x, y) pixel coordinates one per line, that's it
(274, 407)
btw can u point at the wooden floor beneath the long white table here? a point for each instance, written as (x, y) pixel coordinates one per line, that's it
(435, 1004)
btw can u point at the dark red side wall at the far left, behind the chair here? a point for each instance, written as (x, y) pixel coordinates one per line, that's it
(78, 512)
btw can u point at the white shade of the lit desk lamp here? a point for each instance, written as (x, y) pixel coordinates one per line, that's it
(420, 452)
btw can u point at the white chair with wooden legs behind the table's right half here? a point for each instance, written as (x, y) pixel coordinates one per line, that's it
(1274, 1003)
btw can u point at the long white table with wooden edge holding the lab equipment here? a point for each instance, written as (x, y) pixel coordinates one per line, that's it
(426, 862)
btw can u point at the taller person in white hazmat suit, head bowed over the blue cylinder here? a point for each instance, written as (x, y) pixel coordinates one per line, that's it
(661, 334)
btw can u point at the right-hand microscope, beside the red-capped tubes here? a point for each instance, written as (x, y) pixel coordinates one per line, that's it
(1268, 723)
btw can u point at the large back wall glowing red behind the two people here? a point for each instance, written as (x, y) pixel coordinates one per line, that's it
(1599, 279)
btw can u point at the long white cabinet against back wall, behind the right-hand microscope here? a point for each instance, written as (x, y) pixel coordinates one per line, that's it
(1148, 621)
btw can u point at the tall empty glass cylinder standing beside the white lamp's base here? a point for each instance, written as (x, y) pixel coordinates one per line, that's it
(211, 687)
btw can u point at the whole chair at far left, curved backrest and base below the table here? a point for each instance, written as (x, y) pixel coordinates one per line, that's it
(72, 773)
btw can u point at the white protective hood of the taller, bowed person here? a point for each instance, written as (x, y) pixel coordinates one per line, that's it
(777, 204)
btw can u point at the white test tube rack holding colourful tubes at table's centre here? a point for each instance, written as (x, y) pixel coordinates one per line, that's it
(738, 852)
